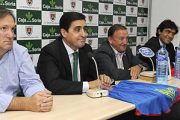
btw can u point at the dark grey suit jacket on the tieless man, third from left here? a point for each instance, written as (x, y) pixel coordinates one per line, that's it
(106, 61)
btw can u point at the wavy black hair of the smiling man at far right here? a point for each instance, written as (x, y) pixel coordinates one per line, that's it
(167, 24)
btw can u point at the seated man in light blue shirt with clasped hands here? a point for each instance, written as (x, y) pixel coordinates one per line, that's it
(17, 70)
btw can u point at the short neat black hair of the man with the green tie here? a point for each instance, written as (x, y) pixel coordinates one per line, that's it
(68, 17)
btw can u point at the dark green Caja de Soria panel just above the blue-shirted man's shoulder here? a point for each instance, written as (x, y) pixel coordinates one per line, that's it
(33, 46)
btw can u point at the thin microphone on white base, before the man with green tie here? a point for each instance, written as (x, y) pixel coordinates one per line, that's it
(95, 93)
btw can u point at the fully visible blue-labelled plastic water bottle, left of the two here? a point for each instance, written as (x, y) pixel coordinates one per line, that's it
(162, 66)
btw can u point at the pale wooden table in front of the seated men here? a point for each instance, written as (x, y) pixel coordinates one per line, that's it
(79, 107)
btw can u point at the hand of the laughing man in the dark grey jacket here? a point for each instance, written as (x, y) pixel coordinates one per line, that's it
(135, 70)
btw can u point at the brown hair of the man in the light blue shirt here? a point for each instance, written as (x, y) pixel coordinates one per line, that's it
(4, 12)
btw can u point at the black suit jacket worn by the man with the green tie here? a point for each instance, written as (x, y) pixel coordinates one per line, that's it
(55, 70)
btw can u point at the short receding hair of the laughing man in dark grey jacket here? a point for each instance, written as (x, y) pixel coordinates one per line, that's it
(114, 28)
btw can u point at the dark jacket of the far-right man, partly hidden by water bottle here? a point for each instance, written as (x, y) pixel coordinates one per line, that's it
(154, 45)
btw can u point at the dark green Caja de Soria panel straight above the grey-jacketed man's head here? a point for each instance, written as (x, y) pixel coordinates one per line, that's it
(119, 10)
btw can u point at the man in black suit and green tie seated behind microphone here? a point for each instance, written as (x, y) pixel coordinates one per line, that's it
(57, 63)
